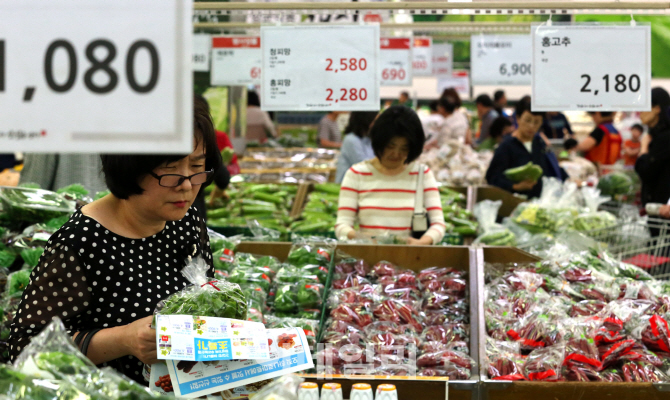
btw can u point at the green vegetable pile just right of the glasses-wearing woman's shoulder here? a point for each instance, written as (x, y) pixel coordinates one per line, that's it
(269, 204)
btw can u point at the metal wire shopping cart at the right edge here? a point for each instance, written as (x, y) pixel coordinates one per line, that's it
(644, 242)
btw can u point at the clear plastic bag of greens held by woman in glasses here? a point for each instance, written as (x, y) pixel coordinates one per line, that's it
(205, 297)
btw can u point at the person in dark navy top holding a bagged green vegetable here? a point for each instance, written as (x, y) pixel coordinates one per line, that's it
(523, 146)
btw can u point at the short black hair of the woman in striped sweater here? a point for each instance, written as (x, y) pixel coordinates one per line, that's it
(398, 121)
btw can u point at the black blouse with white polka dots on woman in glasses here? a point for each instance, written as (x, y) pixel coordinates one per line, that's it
(92, 278)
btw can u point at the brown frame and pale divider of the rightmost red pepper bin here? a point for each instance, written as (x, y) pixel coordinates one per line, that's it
(521, 390)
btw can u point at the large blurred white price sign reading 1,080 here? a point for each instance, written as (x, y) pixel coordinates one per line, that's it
(96, 76)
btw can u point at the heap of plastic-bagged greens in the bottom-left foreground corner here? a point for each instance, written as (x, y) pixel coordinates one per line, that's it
(51, 367)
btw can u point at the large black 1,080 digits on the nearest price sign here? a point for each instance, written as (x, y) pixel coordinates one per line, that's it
(98, 62)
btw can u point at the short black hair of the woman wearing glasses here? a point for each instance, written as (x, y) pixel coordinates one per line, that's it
(124, 171)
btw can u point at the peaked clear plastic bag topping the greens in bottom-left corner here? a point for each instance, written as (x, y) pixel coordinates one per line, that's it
(52, 355)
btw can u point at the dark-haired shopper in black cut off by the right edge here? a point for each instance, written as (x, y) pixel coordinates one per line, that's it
(653, 164)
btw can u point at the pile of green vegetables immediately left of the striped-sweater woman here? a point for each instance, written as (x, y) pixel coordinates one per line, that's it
(320, 212)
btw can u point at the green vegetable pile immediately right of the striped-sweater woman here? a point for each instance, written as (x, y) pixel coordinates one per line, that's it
(458, 219)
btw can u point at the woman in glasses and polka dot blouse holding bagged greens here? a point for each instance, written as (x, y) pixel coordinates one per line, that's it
(106, 269)
